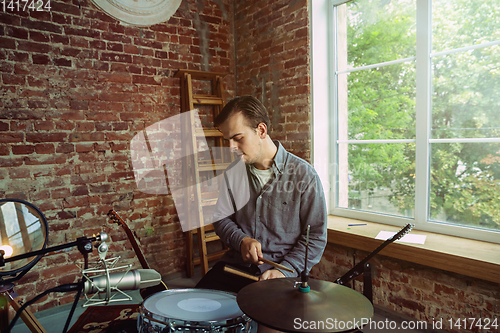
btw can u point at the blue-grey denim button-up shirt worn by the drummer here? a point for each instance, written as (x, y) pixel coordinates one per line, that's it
(276, 215)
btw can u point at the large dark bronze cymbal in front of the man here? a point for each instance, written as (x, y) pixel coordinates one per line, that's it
(327, 307)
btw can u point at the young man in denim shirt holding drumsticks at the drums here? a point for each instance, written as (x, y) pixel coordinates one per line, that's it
(265, 204)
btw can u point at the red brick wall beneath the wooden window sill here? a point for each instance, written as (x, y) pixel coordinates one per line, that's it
(417, 291)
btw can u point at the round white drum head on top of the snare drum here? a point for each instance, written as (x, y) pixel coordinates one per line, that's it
(195, 305)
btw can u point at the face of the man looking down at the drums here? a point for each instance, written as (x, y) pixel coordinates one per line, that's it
(246, 142)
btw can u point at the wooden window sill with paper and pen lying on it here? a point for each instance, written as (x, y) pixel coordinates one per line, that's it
(459, 255)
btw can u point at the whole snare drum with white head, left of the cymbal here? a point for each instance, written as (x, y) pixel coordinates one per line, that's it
(191, 310)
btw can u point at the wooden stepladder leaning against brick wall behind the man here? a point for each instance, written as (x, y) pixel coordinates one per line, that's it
(196, 200)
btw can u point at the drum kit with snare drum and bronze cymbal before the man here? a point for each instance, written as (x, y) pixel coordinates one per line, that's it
(285, 304)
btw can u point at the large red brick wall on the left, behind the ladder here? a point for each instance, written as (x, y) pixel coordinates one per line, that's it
(76, 87)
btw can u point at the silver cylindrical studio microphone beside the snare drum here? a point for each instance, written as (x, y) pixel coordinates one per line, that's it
(131, 280)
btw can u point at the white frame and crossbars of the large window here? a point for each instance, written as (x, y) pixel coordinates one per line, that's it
(325, 130)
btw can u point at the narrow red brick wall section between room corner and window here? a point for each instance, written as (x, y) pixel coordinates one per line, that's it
(273, 58)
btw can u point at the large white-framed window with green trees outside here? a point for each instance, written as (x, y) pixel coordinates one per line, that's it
(415, 113)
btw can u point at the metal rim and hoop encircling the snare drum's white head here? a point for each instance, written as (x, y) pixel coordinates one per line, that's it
(201, 324)
